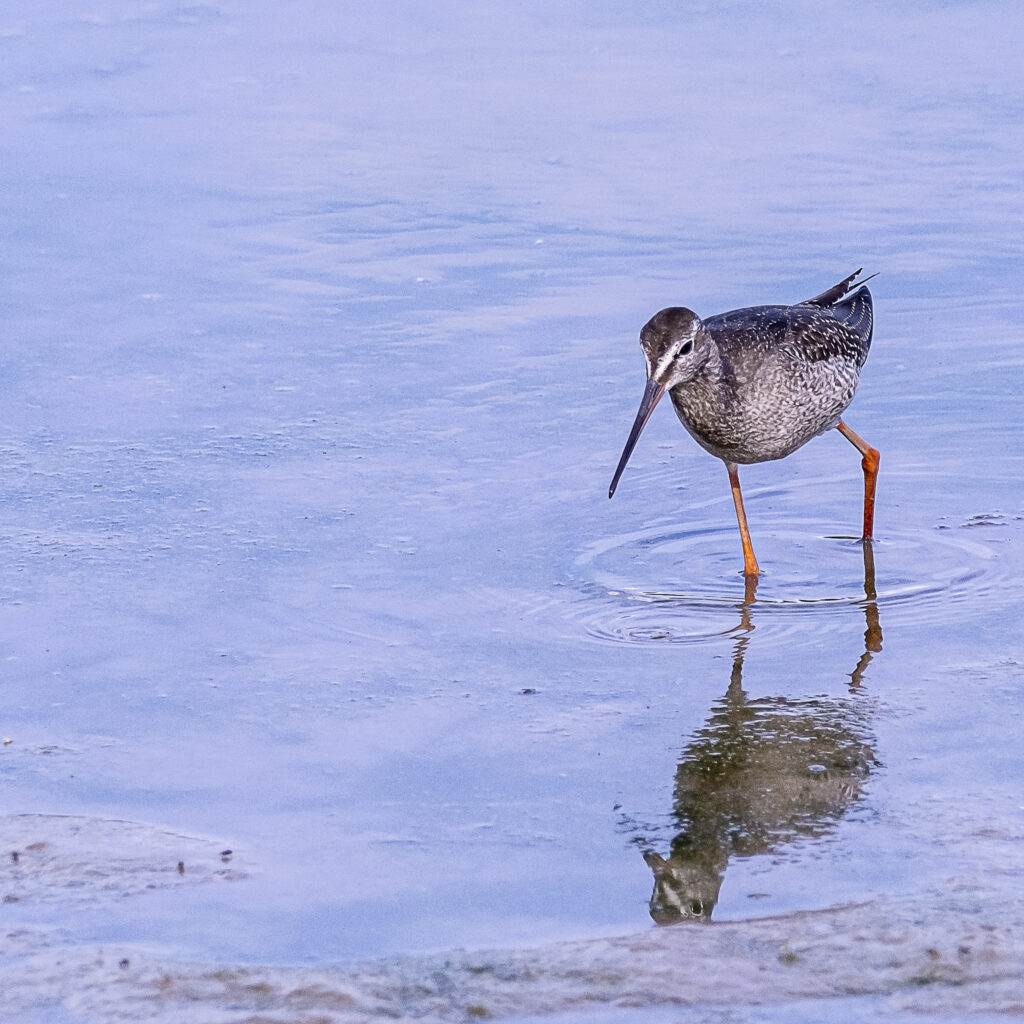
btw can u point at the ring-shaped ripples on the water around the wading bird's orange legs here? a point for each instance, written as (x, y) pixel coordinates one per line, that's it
(672, 584)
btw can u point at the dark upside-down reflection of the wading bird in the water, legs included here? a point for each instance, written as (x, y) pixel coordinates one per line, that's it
(761, 774)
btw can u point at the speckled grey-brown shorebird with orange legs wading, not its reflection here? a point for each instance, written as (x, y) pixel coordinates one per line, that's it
(756, 385)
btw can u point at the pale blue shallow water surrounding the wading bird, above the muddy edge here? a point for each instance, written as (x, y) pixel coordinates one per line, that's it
(320, 352)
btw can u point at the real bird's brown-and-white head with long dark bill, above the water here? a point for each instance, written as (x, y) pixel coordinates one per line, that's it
(676, 346)
